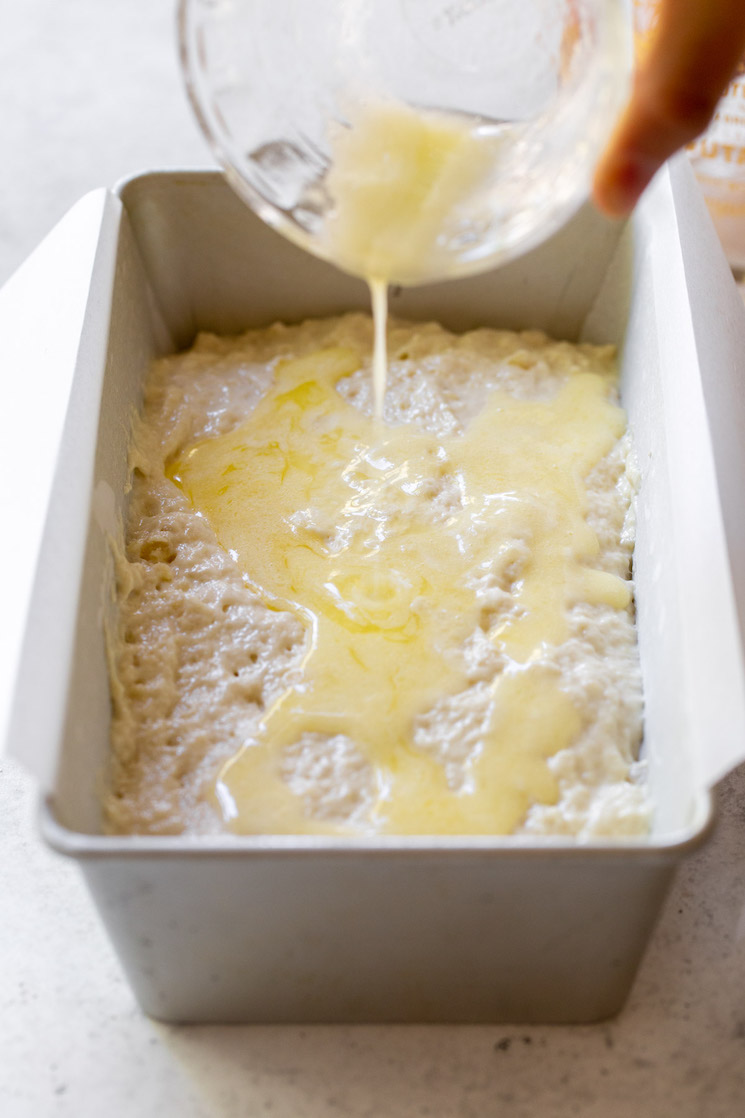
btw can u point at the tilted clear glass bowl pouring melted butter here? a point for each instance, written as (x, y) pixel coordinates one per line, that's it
(461, 132)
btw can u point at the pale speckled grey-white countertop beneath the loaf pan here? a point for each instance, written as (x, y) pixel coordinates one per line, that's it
(90, 92)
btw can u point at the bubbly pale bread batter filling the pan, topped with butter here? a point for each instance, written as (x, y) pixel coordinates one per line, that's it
(334, 626)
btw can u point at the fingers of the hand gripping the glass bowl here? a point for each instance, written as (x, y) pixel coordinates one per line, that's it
(690, 62)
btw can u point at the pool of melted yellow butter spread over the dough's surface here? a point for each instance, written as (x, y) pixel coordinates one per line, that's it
(332, 517)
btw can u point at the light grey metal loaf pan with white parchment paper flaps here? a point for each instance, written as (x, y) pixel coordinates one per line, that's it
(285, 930)
